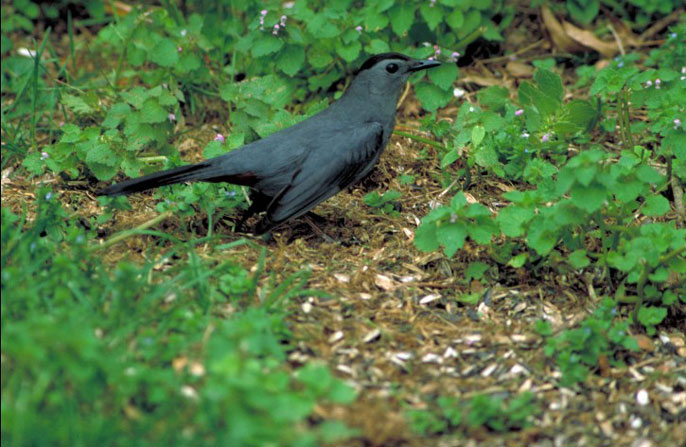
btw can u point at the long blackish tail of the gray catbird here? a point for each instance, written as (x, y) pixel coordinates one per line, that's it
(203, 171)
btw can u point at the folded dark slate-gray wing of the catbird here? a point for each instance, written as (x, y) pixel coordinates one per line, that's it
(327, 171)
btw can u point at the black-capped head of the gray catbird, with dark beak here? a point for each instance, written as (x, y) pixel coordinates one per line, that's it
(386, 73)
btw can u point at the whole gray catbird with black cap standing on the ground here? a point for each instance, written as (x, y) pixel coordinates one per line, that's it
(291, 171)
